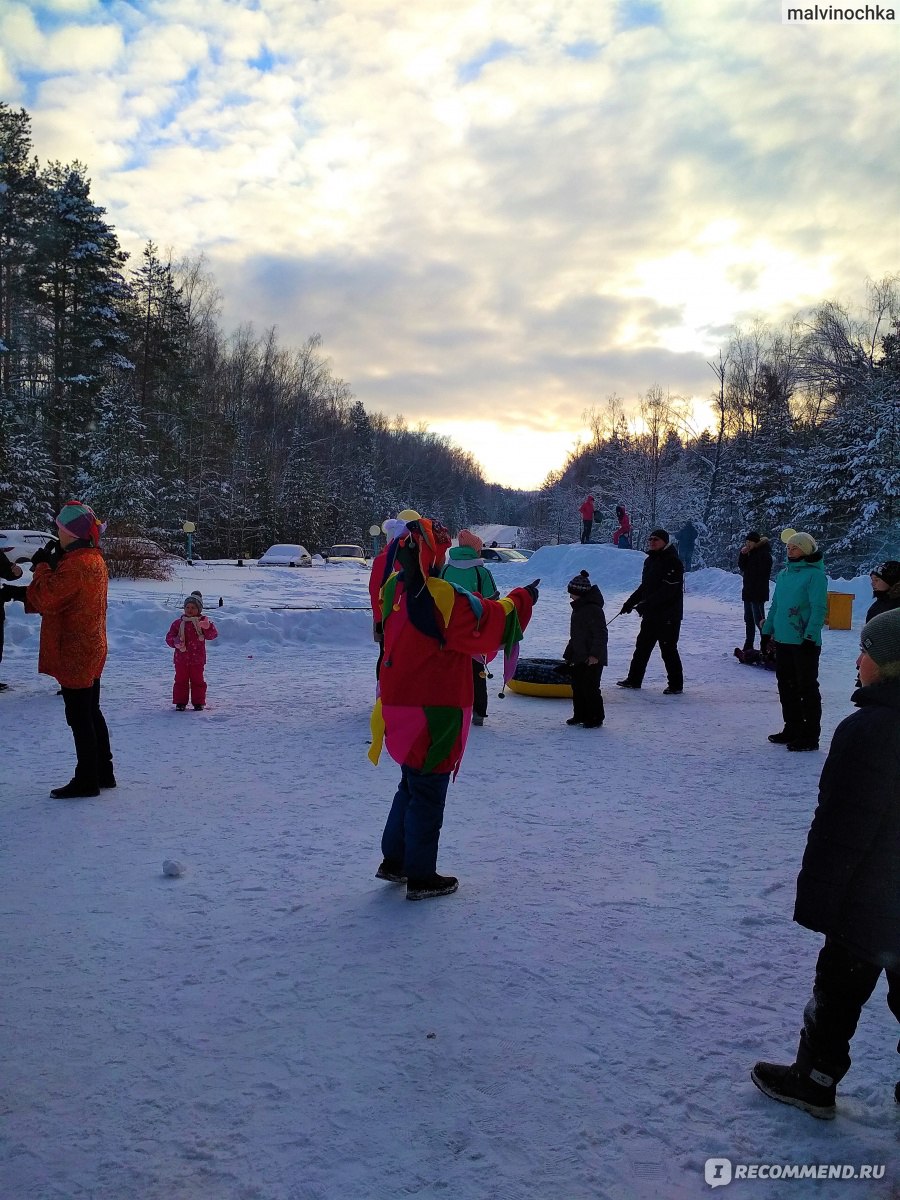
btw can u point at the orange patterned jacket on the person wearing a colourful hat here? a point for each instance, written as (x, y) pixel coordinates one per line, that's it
(73, 602)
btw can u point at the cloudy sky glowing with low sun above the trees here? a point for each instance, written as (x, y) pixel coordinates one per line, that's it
(495, 213)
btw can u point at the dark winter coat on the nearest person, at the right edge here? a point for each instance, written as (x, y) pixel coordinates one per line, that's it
(849, 886)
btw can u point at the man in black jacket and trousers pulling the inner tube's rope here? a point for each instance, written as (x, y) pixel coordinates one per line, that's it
(661, 604)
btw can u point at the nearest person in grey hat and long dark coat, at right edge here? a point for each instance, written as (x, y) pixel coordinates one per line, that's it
(849, 887)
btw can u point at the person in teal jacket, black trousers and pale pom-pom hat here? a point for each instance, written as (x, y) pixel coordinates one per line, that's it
(795, 620)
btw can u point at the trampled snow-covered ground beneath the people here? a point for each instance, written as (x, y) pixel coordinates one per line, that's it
(579, 1022)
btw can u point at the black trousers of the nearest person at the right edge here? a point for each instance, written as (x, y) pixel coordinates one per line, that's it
(844, 983)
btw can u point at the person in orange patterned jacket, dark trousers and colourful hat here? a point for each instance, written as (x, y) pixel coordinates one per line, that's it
(69, 589)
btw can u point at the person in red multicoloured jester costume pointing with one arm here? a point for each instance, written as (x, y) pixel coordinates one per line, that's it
(433, 629)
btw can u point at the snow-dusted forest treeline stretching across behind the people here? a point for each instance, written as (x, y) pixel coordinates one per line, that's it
(119, 386)
